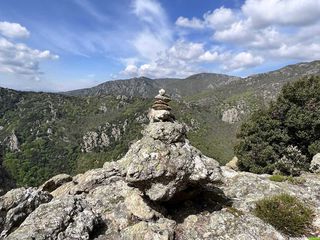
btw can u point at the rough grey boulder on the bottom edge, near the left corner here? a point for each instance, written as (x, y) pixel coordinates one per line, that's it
(66, 218)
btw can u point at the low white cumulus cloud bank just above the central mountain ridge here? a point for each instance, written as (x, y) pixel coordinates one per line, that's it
(185, 58)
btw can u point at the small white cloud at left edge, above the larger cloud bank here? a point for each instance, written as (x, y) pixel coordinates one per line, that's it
(13, 30)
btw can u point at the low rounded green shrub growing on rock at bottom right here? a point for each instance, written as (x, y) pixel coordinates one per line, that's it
(286, 213)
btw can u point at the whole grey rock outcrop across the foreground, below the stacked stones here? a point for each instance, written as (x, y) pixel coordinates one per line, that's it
(163, 189)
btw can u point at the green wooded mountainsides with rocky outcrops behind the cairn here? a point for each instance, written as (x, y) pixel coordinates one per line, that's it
(44, 134)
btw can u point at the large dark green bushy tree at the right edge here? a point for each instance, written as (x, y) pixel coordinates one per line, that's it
(285, 136)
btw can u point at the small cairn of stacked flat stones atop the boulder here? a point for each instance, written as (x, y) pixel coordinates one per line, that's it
(161, 111)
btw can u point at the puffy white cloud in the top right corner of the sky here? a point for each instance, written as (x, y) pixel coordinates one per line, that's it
(283, 12)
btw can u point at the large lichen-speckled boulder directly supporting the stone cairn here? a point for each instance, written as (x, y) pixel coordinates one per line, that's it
(163, 163)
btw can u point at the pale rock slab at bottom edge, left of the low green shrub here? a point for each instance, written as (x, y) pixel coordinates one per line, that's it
(225, 225)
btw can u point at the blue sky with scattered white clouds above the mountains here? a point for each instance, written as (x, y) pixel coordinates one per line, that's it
(61, 45)
